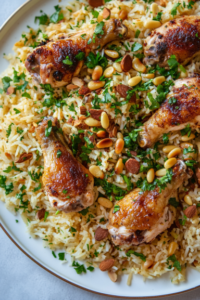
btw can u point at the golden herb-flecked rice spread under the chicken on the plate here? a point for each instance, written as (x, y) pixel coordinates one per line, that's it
(21, 184)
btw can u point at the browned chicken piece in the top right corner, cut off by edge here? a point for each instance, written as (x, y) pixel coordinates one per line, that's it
(179, 37)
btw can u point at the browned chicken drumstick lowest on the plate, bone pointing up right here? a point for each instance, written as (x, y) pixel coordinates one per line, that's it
(142, 216)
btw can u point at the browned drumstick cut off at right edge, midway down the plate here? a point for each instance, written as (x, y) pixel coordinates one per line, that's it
(172, 117)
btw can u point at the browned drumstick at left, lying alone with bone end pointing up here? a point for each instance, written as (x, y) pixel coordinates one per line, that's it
(68, 184)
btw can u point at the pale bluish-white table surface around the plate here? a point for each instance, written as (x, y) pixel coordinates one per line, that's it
(22, 279)
